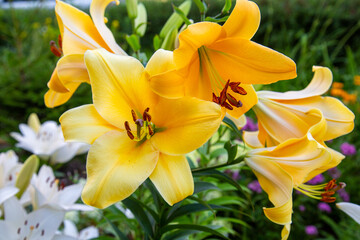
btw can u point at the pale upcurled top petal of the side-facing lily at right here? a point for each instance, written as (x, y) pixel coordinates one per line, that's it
(319, 85)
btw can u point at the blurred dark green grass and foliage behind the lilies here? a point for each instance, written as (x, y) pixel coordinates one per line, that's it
(311, 32)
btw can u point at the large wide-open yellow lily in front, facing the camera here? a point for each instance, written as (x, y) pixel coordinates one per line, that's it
(135, 134)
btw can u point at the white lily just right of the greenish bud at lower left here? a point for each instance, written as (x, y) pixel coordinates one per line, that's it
(46, 191)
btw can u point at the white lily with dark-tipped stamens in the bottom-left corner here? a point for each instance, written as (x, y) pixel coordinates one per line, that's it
(39, 224)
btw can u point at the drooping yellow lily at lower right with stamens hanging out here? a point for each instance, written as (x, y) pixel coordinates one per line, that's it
(289, 165)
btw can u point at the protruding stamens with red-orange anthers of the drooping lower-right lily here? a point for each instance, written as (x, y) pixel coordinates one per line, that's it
(323, 192)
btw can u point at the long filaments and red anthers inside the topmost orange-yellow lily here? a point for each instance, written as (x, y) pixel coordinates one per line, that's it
(217, 83)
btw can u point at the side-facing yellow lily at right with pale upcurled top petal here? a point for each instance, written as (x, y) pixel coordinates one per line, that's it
(282, 116)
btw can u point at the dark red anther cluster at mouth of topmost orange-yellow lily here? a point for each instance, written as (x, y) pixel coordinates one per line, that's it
(226, 99)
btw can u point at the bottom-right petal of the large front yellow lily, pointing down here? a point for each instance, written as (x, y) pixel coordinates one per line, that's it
(172, 177)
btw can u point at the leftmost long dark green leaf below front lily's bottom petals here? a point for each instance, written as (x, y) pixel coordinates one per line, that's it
(139, 213)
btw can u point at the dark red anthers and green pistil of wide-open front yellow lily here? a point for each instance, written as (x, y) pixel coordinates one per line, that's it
(145, 129)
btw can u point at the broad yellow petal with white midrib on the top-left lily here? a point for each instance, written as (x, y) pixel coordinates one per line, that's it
(80, 33)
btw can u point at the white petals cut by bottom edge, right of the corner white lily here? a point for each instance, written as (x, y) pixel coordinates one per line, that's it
(70, 232)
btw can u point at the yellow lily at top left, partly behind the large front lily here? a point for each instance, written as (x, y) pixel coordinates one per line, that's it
(78, 33)
